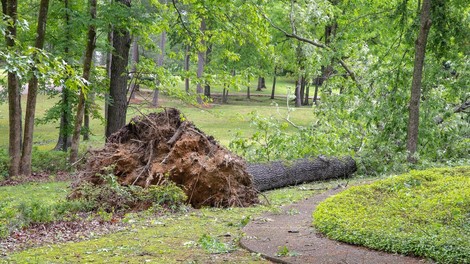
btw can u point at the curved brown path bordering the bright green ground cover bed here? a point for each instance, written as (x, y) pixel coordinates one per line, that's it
(292, 228)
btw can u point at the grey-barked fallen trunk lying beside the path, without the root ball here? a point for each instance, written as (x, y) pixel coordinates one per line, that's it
(278, 174)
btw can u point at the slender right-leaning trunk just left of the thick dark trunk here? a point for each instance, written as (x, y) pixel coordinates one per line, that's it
(86, 75)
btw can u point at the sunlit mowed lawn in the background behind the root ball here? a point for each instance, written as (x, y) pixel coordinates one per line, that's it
(219, 120)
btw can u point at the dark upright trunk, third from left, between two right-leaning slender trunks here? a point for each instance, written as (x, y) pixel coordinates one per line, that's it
(65, 139)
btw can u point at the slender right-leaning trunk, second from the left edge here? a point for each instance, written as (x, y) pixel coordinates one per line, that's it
(26, 156)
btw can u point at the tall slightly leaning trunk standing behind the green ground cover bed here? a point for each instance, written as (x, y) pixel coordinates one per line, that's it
(420, 51)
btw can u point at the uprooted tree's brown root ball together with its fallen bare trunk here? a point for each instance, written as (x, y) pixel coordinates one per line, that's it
(159, 147)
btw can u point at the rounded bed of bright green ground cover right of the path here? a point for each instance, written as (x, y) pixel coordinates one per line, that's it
(422, 213)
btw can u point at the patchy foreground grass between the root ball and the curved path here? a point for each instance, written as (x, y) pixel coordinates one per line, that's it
(207, 235)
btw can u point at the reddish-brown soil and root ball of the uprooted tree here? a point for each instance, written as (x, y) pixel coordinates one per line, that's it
(163, 146)
